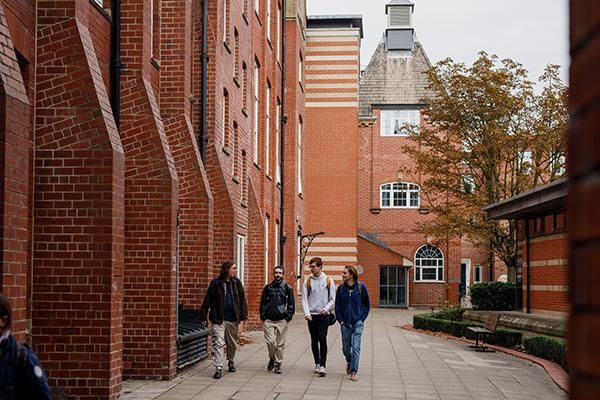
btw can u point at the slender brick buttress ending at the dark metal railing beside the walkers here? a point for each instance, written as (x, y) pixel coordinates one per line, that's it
(195, 198)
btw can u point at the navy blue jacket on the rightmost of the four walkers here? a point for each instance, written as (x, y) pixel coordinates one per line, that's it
(352, 303)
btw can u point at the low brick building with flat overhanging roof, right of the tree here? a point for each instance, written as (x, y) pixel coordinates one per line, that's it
(542, 246)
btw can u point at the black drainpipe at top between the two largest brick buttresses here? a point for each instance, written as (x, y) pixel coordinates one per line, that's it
(115, 62)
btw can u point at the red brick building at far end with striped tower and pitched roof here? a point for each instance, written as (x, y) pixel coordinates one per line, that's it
(356, 194)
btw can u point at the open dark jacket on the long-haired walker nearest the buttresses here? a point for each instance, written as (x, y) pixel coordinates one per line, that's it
(214, 301)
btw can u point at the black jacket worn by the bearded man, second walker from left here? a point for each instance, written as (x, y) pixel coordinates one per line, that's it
(277, 302)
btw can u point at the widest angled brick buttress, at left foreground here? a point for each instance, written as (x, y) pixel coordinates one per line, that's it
(78, 210)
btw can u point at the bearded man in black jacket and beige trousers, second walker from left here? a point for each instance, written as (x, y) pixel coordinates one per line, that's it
(277, 308)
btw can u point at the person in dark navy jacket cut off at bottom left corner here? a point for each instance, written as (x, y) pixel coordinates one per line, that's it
(21, 374)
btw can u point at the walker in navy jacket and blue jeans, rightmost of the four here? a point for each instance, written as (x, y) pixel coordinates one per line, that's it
(352, 306)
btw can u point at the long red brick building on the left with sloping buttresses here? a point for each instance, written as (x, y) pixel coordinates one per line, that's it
(128, 177)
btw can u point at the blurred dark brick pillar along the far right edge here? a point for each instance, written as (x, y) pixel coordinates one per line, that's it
(584, 193)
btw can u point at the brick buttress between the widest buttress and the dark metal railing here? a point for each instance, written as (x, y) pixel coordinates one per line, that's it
(151, 191)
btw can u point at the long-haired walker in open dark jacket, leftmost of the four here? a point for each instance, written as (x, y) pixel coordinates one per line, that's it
(227, 309)
